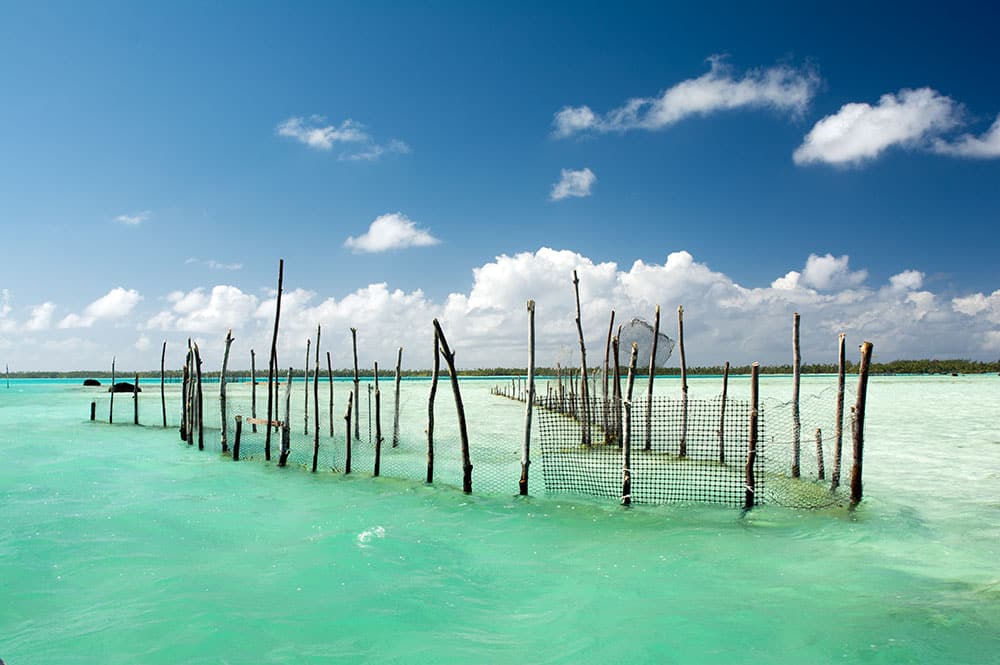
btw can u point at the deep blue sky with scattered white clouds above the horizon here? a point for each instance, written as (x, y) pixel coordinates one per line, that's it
(152, 153)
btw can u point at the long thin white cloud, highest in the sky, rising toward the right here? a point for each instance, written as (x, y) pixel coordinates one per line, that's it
(782, 88)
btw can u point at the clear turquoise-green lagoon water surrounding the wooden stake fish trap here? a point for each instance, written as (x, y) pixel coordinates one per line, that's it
(123, 545)
